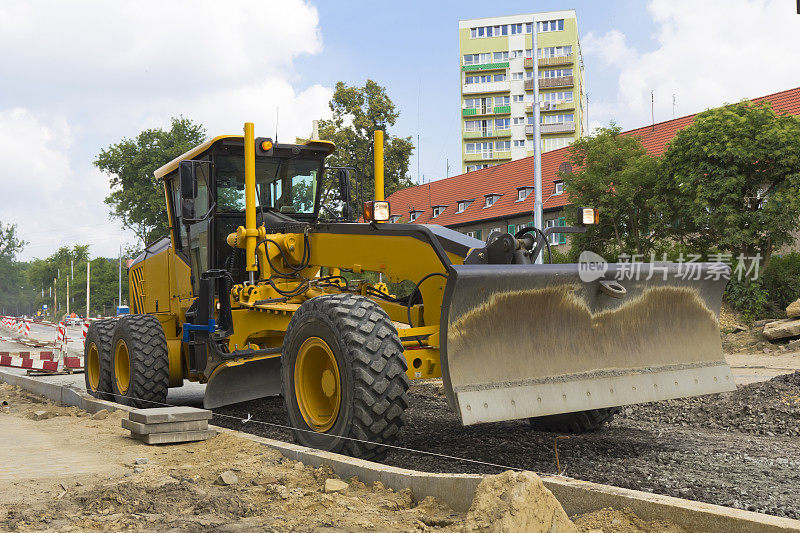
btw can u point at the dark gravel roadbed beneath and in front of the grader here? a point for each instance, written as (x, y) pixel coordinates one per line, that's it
(737, 449)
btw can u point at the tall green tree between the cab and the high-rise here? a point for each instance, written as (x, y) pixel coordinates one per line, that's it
(357, 113)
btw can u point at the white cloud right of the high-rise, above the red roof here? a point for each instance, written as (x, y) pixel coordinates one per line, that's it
(708, 53)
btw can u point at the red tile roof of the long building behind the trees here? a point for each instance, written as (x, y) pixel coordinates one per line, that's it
(505, 179)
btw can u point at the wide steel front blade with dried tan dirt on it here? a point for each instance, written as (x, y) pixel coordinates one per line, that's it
(524, 341)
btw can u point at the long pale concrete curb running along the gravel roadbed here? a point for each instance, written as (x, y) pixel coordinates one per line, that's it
(458, 490)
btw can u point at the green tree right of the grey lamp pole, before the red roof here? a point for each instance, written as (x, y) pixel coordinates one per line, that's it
(615, 174)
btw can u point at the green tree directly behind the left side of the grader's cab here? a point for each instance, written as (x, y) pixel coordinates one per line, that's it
(137, 198)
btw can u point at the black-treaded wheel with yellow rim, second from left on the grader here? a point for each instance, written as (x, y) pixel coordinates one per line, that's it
(147, 366)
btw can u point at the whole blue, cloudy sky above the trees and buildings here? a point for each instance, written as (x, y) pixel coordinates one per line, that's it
(78, 76)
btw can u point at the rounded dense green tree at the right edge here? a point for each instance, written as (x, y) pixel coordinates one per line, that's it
(732, 179)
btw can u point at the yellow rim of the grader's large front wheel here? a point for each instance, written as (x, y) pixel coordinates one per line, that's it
(317, 384)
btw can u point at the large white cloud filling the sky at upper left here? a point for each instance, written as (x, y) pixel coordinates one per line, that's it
(84, 74)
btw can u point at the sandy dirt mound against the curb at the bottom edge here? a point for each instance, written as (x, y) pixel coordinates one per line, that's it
(516, 501)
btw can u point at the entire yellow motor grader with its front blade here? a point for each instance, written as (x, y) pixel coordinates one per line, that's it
(254, 294)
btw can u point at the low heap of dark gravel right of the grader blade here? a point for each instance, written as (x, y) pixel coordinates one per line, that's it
(766, 408)
